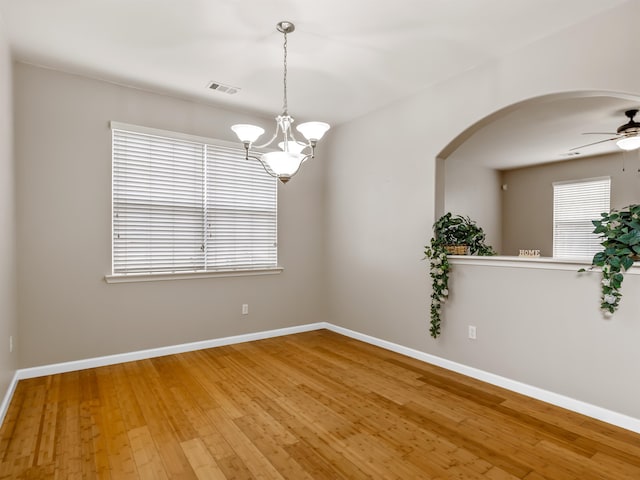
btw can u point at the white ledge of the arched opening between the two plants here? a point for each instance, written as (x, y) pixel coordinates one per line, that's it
(545, 263)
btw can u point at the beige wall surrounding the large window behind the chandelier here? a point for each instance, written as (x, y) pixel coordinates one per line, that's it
(66, 310)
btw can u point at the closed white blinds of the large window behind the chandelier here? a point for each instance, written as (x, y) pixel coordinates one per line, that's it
(181, 205)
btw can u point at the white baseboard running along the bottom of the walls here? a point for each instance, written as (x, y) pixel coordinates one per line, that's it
(614, 418)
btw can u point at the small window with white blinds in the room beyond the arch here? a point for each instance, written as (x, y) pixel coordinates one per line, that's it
(575, 204)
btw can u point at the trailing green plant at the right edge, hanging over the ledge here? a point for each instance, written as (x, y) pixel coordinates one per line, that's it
(620, 234)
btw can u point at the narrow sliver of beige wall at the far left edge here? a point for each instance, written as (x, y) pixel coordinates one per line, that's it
(8, 312)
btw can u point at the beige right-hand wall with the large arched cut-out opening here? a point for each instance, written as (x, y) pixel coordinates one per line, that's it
(380, 217)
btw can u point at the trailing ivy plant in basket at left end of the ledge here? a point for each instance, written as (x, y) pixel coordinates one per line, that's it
(450, 231)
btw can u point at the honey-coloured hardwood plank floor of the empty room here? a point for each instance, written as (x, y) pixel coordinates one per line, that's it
(315, 405)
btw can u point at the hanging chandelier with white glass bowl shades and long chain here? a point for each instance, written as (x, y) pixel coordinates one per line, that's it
(284, 163)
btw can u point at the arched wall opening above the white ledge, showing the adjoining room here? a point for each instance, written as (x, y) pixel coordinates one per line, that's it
(500, 170)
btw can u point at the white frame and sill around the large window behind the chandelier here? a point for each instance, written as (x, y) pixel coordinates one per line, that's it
(114, 277)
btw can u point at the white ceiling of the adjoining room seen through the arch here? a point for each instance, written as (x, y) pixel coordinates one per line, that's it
(548, 130)
